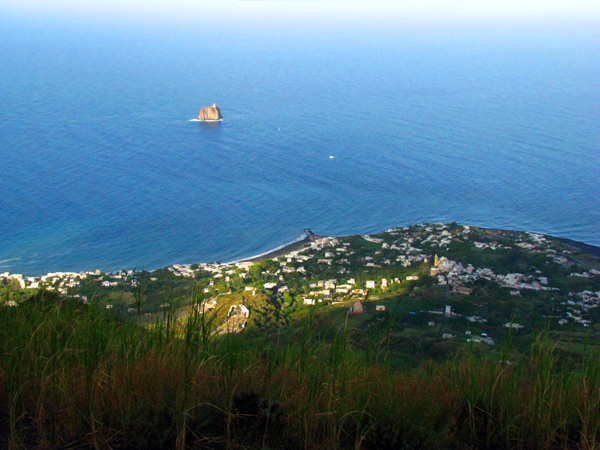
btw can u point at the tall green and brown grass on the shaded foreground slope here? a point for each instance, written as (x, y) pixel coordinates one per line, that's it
(72, 376)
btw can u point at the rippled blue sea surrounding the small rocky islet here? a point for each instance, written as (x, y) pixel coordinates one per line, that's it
(102, 168)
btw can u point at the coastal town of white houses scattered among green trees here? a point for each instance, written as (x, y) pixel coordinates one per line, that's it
(467, 275)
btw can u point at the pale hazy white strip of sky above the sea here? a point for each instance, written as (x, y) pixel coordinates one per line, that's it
(324, 12)
